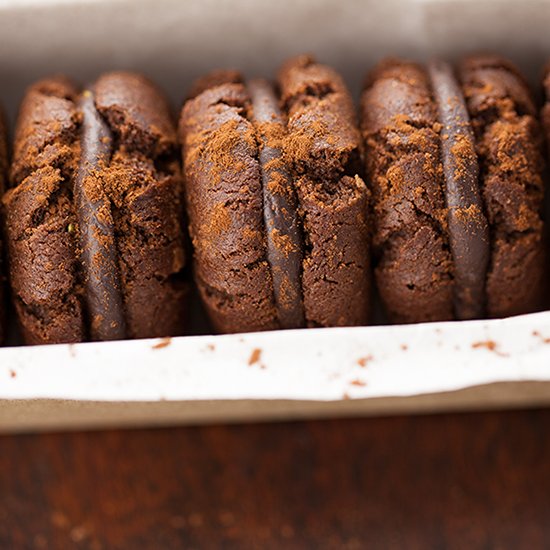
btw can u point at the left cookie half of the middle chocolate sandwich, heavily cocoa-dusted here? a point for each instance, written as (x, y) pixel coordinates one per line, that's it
(223, 193)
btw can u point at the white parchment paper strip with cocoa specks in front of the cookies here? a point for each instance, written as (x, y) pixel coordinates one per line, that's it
(318, 364)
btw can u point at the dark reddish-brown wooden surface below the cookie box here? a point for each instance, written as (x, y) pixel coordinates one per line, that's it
(452, 481)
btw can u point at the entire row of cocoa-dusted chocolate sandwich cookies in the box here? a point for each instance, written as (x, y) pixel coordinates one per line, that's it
(291, 200)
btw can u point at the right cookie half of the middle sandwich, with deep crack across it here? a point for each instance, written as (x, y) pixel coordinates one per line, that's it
(323, 148)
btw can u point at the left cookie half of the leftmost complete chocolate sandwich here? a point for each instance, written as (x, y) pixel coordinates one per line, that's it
(39, 215)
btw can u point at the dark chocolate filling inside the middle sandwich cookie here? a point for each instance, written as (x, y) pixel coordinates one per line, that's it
(284, 238)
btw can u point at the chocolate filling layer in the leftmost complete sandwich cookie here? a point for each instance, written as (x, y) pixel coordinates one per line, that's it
(96, 227)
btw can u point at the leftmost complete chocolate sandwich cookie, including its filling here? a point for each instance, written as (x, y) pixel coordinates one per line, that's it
(92, 219)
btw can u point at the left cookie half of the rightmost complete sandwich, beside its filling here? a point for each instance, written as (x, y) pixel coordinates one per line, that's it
(413, 264)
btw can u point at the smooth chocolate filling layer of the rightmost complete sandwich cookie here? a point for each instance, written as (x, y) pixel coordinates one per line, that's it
(468, 228)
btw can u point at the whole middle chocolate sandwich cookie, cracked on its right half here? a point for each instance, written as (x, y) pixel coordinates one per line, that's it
(277, 208)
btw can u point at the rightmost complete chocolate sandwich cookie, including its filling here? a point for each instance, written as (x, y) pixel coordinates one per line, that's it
(456, 172)
